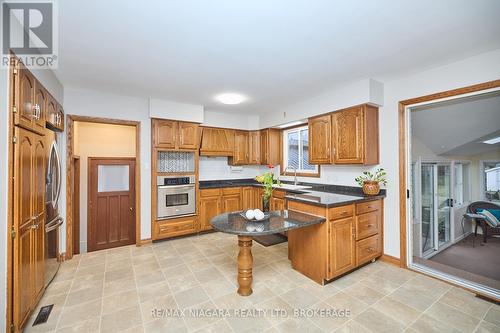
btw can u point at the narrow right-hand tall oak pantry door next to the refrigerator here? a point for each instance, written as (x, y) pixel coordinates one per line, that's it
(39, 167)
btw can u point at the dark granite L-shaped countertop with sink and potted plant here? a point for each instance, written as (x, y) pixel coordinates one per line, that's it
(318, 194)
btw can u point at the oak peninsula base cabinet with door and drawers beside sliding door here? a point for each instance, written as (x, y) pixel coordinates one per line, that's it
(352, 236)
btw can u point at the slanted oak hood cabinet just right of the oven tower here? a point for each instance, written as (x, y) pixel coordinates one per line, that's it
(217, 142)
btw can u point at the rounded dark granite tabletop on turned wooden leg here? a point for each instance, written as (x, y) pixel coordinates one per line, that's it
(278, 221)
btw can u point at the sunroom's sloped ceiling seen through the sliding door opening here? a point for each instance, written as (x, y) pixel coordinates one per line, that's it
(459, 127)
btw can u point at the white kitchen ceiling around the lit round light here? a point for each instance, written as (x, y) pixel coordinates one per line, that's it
(277, 52)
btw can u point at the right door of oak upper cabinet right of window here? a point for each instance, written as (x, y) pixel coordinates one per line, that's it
(348, 135)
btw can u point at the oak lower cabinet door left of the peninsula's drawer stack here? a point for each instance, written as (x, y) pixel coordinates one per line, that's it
(342, 247)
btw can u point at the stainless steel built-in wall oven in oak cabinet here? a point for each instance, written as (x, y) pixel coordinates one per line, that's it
(176, 196)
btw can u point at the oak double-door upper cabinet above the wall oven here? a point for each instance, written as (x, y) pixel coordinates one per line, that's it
(171, 134)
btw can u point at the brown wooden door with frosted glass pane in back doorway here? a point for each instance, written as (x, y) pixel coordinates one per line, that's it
(111, 210)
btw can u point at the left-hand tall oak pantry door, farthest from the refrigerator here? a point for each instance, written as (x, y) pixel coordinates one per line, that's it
(23, 223)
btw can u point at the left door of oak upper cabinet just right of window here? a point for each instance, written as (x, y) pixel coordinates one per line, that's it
(320, 139)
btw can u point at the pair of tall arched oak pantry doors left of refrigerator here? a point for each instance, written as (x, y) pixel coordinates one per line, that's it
(28, 228)
